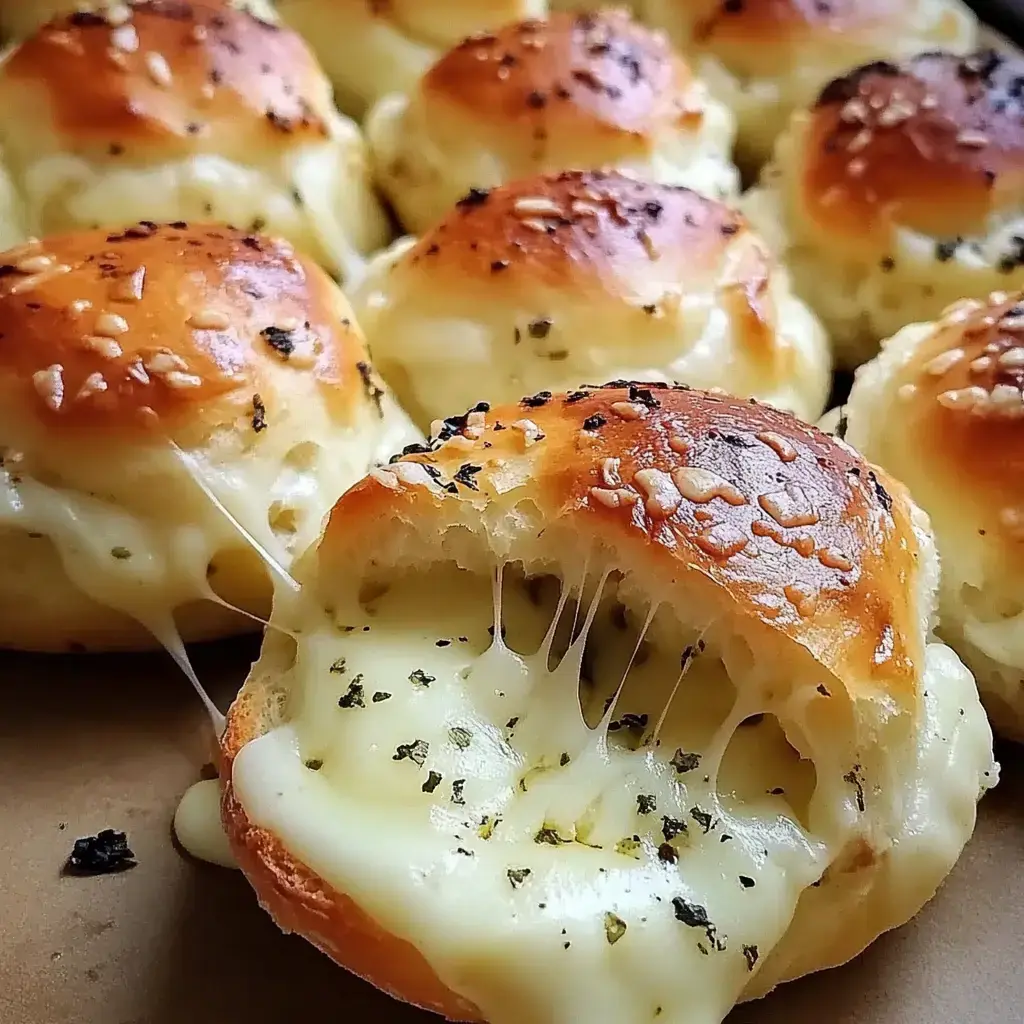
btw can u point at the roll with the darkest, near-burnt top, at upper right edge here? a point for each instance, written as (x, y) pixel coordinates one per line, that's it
(900, 192)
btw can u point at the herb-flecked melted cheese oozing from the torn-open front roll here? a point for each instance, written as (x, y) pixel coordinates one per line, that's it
(457, 790)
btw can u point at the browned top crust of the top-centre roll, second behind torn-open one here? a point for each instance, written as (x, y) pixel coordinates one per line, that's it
(595, 73)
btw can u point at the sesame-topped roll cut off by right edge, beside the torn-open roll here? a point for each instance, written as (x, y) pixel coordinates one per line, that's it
(943, 408)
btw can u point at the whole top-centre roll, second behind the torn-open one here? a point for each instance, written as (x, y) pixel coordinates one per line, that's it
(579, 91)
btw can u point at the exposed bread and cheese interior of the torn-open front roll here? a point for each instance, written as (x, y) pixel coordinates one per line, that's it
(580, 794)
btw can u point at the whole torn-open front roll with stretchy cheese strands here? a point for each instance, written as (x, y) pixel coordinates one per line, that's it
(448, 798)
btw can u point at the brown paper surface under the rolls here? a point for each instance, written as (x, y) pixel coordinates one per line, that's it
(87, 744)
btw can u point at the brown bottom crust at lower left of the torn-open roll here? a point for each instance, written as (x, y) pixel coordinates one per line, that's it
(303, 903)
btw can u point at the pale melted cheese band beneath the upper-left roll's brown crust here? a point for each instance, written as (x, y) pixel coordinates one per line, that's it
(319, 197)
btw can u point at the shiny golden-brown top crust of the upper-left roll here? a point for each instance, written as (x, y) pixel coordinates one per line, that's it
(197, 76)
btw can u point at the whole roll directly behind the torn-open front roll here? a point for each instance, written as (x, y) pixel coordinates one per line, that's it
(588, 276)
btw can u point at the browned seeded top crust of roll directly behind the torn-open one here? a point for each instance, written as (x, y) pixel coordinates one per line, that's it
(580, 230)
